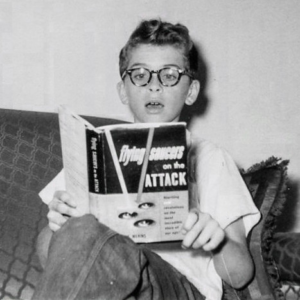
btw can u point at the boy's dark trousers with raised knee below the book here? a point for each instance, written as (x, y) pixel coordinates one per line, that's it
(87, 260)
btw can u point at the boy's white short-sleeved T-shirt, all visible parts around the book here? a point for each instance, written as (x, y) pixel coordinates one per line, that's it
(219, 191)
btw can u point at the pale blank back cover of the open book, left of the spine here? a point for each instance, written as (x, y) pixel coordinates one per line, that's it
(73, 140)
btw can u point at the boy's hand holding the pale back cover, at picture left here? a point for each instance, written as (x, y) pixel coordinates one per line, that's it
(60, 209)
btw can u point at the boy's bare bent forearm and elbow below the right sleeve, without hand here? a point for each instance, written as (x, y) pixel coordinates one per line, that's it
(232, 258)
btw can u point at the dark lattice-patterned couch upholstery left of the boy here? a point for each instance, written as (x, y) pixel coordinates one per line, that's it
(30, 157)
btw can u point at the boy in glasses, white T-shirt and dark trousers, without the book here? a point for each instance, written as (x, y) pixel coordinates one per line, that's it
(87, 260)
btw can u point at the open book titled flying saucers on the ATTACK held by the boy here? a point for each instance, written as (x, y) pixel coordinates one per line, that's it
(131, 177)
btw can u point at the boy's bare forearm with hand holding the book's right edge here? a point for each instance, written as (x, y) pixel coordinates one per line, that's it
(231, 256)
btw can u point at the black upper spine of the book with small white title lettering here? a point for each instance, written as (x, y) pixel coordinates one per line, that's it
(95, 161)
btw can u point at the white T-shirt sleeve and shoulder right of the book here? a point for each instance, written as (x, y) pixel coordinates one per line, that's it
(221, 190)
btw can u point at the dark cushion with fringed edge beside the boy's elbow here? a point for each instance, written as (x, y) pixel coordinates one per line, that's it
(267, 183)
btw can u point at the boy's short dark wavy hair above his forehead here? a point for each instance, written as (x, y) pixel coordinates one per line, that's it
(158, 33)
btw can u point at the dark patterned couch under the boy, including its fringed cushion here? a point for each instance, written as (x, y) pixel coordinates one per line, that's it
(30, 157)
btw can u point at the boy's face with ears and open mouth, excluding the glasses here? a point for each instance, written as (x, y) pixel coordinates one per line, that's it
(155, 102)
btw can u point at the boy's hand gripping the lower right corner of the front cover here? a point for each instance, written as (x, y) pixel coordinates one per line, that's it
(201, 231)
